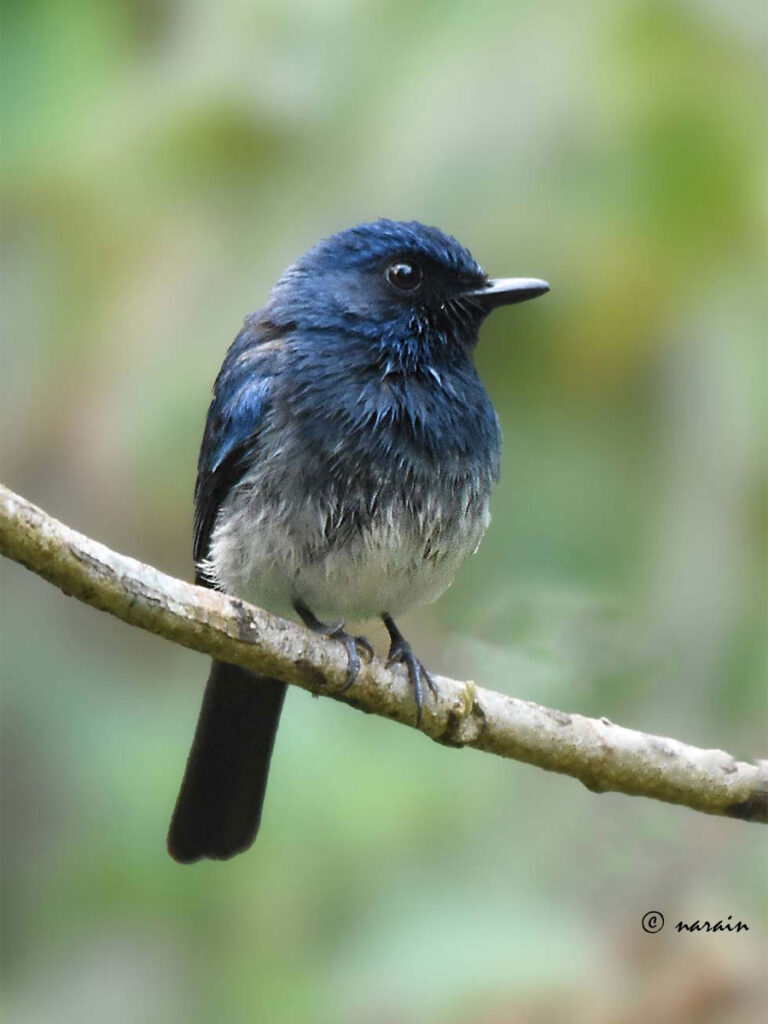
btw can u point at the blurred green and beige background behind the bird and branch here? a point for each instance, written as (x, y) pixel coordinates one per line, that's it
(163, 162)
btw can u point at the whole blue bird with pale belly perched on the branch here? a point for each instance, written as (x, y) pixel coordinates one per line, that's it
(346, 473)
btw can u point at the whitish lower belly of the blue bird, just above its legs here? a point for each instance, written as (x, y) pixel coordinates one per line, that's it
(273, 559)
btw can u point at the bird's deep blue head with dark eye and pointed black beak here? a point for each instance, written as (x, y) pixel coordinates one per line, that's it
(401, 284)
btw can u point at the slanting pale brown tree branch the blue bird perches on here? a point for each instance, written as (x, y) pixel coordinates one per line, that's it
(602, 755)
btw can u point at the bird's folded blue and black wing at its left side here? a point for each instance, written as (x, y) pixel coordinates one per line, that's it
(236, 418)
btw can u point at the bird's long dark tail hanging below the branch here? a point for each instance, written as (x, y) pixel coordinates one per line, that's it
(220, 805)
